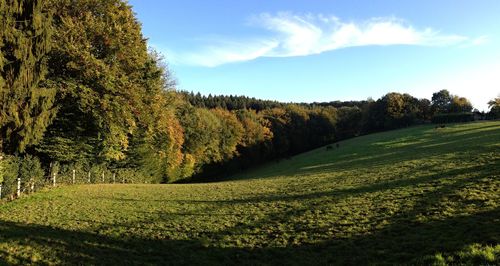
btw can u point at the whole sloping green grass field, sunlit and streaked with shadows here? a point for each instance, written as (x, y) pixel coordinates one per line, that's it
(414, 196)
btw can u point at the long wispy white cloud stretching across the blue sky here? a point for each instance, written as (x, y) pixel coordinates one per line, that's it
(301, 35)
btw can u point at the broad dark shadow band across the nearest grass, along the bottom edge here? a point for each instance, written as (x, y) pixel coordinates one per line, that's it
(398, 243)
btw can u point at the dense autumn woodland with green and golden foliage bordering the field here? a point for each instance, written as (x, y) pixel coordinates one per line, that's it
(80, 90)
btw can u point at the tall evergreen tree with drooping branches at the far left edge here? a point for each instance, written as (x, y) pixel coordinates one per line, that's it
(26, 100)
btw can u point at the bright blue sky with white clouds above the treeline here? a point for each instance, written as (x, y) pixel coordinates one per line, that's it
(327, 50)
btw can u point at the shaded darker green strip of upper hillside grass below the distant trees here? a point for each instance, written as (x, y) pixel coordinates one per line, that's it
(432, 144)
